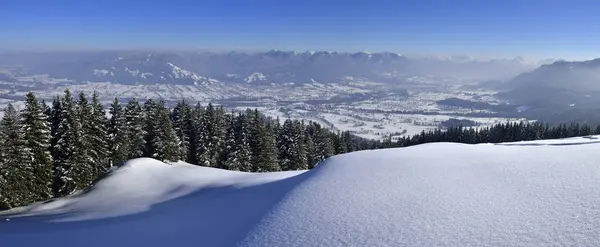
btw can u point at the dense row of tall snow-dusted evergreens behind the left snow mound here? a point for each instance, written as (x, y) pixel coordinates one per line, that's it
(53, 151)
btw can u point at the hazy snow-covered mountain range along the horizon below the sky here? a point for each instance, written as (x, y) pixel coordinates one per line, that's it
(278, 67)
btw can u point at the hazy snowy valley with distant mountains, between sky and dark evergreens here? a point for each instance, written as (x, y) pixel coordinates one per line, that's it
(374, 95)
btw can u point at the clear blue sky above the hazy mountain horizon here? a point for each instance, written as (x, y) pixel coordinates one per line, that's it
(530, 28)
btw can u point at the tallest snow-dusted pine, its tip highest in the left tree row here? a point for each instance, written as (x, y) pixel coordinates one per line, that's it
(71, 171)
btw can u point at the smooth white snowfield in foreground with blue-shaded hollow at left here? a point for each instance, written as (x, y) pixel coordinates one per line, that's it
(541, 193)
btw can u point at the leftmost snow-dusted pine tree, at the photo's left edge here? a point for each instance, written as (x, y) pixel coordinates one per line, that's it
(17, 171)
